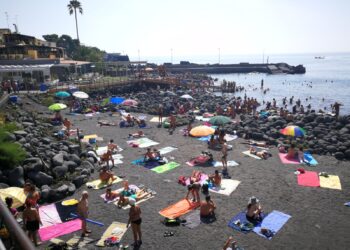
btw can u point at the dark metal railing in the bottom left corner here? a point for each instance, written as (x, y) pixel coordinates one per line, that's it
(21, 239)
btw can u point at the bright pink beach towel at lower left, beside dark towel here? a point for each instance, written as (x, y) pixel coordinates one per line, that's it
(47, 233)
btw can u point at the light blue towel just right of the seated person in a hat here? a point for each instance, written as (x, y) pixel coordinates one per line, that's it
(274, 221)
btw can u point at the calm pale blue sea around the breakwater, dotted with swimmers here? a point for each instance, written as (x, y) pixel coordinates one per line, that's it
(327, 78)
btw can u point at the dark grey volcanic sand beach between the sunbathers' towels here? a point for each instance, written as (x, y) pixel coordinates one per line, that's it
(319, 218)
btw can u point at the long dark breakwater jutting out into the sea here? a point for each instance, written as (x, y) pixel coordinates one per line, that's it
(272, 68)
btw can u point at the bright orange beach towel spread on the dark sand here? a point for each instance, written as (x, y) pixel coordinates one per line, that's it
(178, 209)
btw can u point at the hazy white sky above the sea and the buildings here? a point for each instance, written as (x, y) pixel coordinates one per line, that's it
(191, 27)
